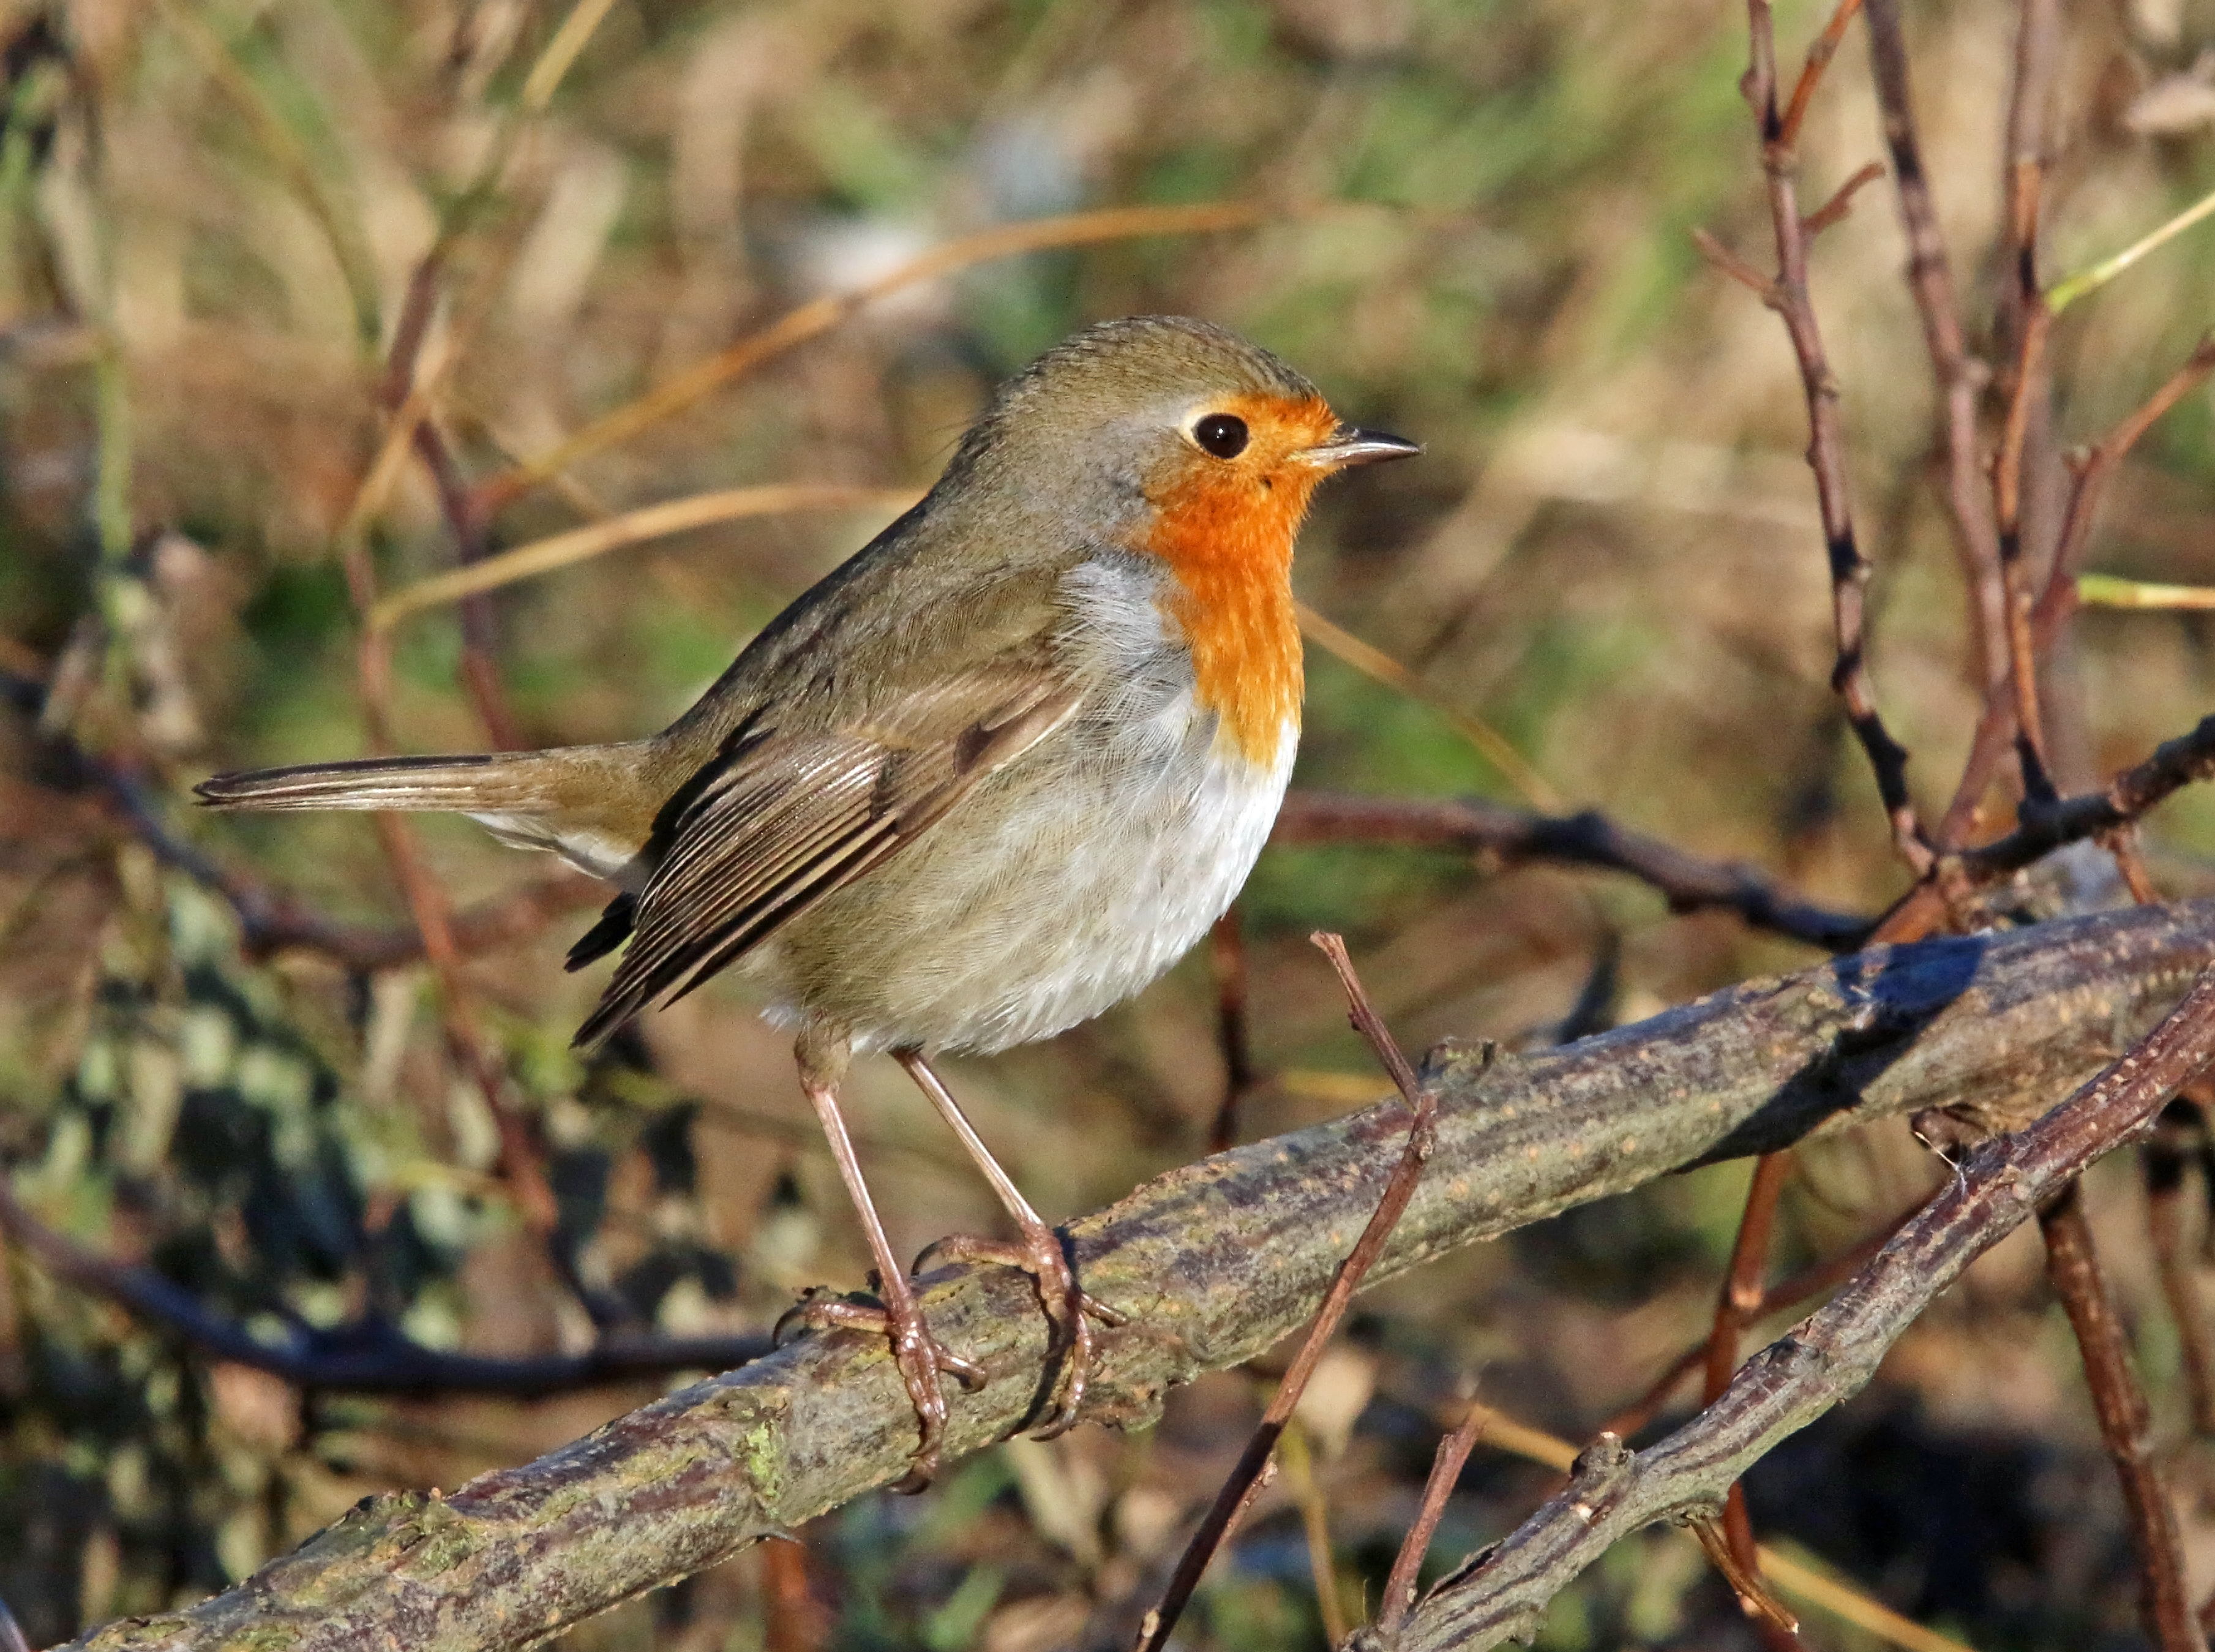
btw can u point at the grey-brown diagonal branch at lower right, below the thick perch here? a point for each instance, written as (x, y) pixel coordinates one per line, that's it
(1824, 1361)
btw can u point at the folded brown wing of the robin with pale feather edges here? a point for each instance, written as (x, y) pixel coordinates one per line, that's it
(783, 820)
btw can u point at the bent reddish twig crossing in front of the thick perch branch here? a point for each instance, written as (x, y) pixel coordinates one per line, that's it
(1399, 1190)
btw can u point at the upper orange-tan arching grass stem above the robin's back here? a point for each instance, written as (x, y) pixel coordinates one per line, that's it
(821, 316)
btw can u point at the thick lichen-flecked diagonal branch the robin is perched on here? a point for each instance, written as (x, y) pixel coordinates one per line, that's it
(1215, 1263)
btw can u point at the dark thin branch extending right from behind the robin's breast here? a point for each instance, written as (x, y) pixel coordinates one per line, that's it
(1479, 827)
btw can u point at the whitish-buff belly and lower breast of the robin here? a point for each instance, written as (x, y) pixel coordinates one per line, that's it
(1064, 882)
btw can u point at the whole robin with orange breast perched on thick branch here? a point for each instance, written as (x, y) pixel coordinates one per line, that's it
(982, 783)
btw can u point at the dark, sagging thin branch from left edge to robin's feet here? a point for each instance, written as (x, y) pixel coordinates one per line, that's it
(367, 1359)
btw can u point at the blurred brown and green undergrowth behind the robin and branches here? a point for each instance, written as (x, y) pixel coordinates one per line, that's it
(1476, 231)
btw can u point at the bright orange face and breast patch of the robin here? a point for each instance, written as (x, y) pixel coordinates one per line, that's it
(1226, 530)
